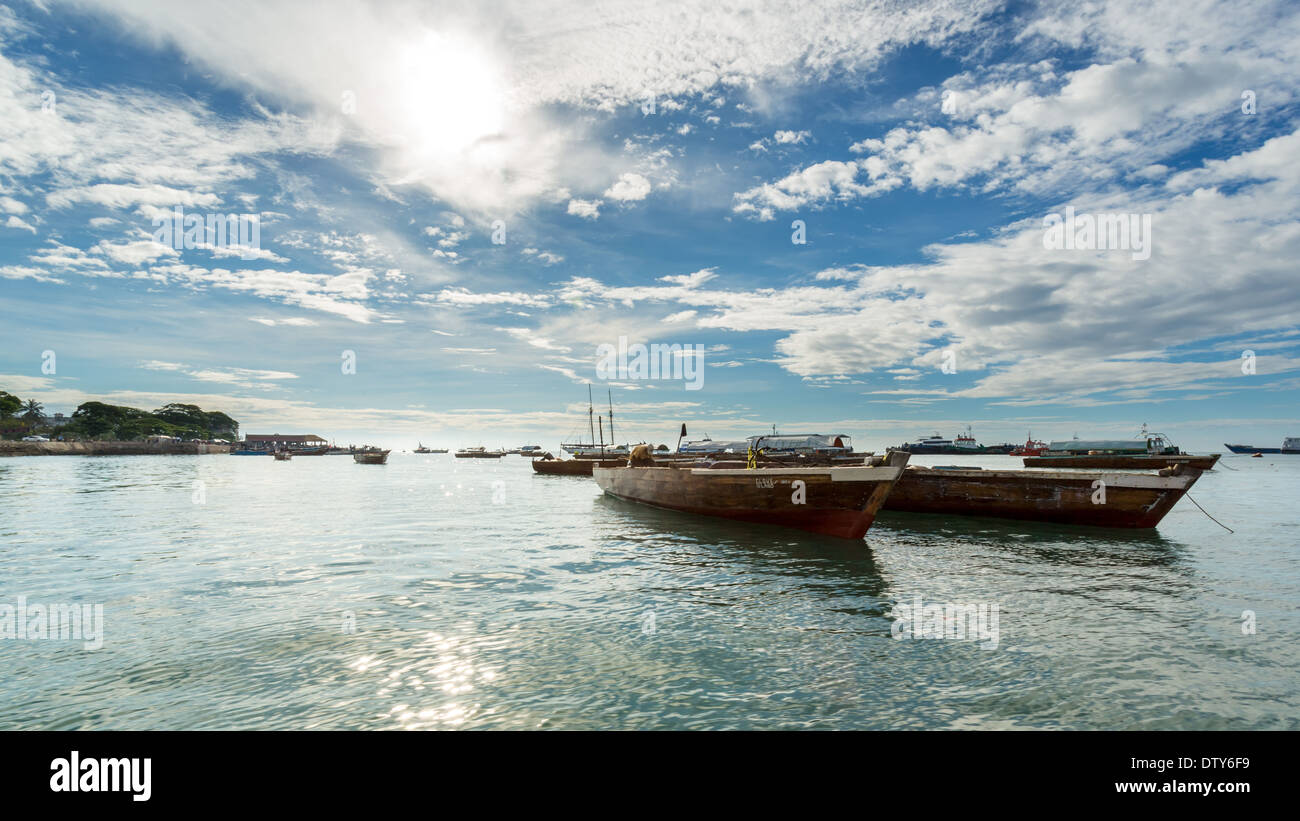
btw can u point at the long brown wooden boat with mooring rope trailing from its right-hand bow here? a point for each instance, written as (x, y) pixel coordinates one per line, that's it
(1132, 499)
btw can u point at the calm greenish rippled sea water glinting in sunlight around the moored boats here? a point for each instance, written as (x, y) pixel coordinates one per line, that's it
(440, 593)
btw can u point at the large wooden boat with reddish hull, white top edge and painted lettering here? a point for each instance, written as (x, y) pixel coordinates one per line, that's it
(833, 501)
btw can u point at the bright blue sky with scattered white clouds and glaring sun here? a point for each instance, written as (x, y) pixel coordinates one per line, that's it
(842, 211)
